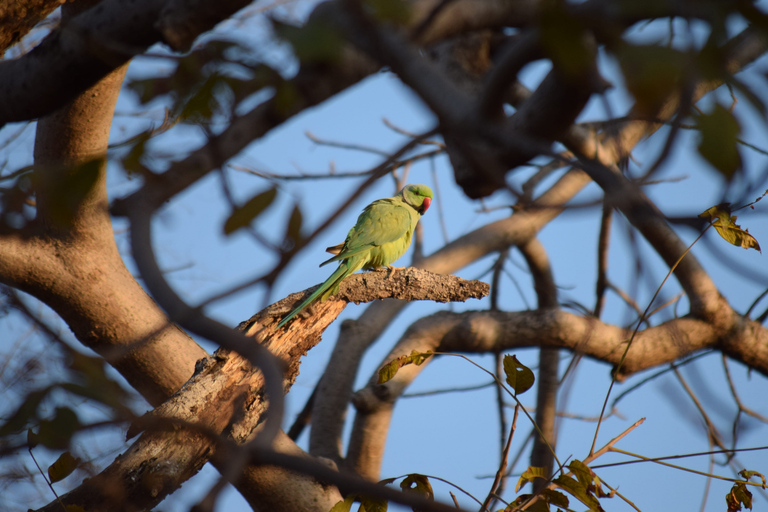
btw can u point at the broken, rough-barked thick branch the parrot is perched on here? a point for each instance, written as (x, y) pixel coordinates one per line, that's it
(226, 397)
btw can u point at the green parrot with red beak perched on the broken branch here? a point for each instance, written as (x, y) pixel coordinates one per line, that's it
(381, 235)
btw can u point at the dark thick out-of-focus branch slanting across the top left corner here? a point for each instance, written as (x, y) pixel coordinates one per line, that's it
(88, 47)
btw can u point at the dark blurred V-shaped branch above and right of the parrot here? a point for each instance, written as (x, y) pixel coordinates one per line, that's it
(543, 118)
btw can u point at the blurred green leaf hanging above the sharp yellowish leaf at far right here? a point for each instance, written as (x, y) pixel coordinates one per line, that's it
(719, 140)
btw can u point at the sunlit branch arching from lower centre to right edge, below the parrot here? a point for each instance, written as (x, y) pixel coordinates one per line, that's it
(494, 331)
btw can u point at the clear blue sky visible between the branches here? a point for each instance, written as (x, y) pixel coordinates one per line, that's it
(455, 436)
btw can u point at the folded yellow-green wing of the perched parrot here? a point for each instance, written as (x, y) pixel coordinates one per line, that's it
(381, 222)
